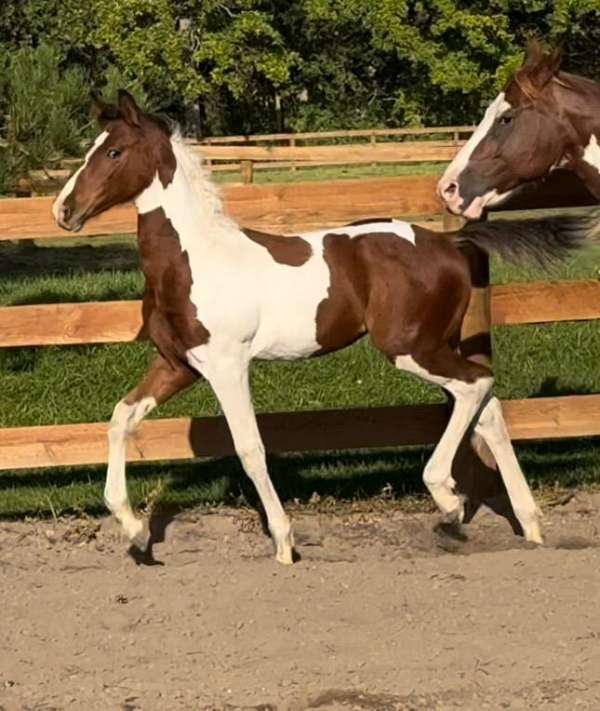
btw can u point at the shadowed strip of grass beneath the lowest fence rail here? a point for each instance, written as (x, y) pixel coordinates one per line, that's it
(343, 476)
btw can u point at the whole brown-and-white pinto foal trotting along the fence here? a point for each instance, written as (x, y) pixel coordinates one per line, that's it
(217, 296)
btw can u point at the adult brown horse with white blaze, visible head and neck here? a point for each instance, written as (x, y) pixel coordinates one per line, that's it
(544, 119)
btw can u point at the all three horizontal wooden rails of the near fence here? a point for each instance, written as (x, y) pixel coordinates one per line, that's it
(286, 208)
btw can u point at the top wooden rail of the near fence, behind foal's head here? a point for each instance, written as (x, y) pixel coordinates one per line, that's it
(283, 207)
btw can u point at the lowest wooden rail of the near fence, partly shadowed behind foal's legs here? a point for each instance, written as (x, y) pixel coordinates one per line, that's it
(187, 438)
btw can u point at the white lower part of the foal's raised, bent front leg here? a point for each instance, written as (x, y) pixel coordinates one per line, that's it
(123, 422)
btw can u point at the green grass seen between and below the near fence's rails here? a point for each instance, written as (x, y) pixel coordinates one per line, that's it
(82, 384)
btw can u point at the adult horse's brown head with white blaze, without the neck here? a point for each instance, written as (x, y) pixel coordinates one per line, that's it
(525, 132)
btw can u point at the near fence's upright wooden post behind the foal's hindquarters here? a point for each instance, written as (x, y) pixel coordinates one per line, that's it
(474, 468)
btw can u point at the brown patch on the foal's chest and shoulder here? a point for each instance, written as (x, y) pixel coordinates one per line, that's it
(170, 317)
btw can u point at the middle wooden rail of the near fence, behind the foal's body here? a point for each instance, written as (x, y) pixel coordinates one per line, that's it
(121, 321)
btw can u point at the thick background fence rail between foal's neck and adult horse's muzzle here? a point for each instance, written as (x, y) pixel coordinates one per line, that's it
(408, 152)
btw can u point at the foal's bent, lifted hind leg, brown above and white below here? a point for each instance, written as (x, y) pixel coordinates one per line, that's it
(469, 383)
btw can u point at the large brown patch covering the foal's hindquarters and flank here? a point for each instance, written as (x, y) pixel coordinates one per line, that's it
(410, 298)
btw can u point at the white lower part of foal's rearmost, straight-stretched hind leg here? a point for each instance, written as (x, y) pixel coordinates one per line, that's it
(492, 428)
